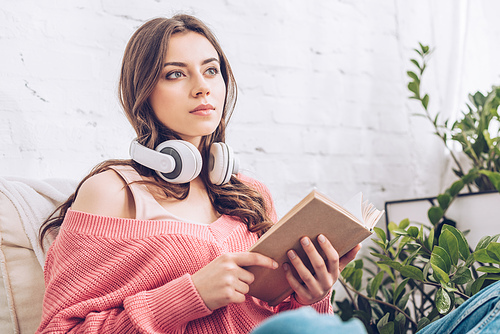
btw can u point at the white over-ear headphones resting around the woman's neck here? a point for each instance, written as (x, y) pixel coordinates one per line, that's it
(179, 161)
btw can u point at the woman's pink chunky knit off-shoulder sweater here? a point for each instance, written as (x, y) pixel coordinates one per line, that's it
(114, 275)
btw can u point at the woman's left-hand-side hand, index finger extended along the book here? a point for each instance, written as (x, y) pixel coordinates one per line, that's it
(223, 281)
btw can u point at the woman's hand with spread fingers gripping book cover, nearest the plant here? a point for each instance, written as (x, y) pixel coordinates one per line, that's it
(316, 286)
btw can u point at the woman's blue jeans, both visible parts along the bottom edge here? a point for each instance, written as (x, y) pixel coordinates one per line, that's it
(479, 314)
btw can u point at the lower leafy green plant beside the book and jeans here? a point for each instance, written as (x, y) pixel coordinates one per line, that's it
(415, 278)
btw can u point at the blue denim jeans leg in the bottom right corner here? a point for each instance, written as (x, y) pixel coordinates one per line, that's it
(479, 314)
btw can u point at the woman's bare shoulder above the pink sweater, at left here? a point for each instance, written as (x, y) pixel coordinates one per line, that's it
(105, 194)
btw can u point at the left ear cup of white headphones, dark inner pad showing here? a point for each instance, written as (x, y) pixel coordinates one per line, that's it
(188, 161)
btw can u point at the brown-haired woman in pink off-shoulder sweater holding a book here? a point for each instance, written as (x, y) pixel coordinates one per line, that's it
(132, 255)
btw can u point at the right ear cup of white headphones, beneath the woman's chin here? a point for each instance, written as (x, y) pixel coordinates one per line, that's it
(221, 163)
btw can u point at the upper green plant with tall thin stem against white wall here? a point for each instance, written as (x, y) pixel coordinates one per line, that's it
(477, 133)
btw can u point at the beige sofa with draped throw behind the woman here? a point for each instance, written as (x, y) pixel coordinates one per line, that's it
(24, 203)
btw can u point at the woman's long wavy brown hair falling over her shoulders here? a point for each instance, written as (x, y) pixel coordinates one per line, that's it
(141, 68)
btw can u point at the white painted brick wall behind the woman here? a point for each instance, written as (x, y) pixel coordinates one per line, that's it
(323, 99)
